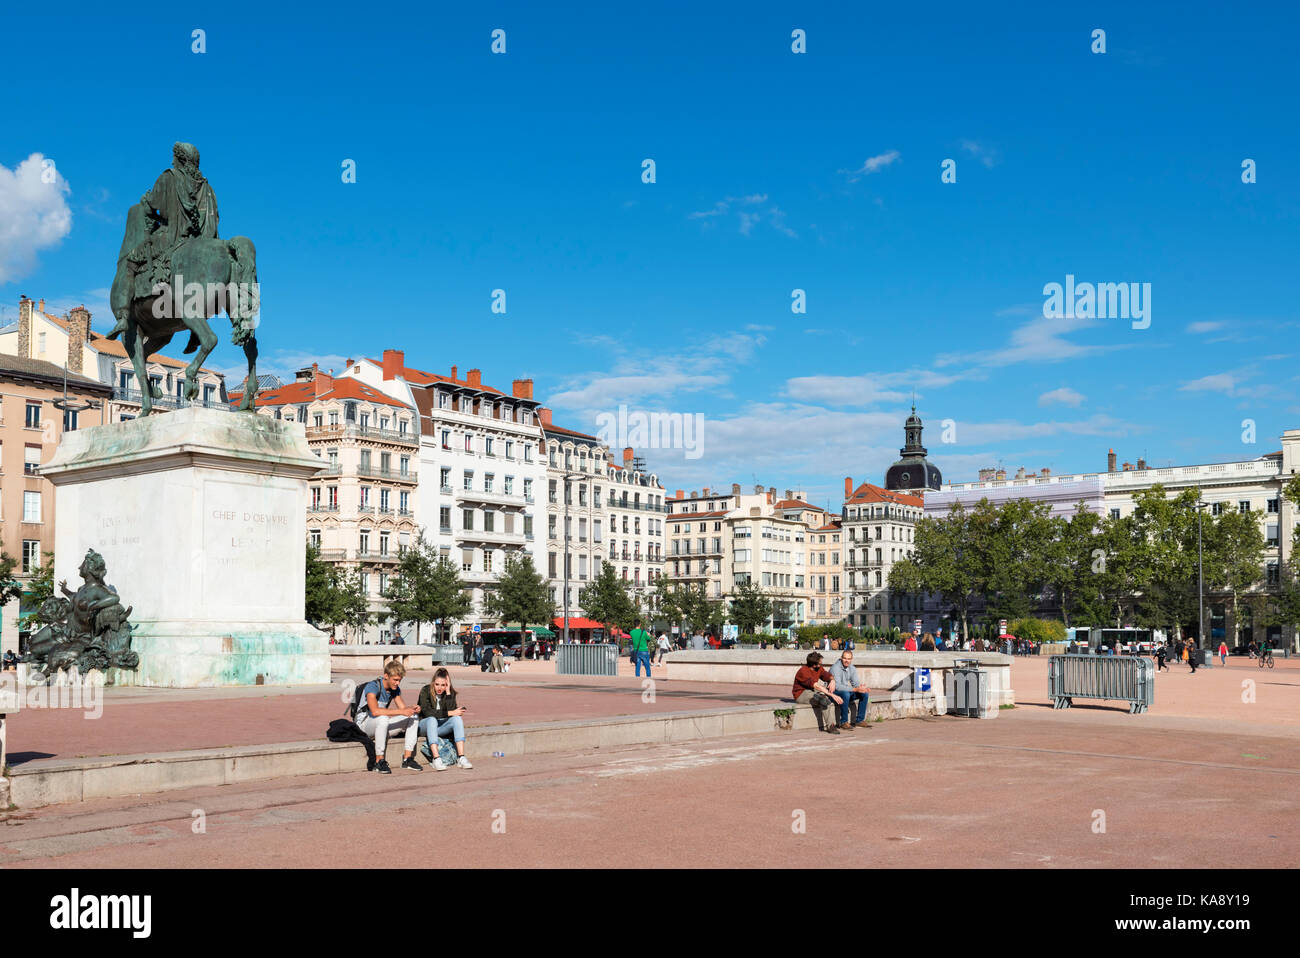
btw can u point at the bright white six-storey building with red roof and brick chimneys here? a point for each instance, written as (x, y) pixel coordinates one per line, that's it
(482, 463)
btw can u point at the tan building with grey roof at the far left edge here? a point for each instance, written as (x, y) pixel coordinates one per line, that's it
(31, 430)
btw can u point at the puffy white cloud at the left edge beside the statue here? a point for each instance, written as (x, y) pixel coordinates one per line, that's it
(33, 215)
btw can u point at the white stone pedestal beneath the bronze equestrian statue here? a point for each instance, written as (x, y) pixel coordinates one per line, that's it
(201, 518)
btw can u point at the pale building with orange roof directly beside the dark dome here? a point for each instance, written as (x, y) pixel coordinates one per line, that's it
(879, 530)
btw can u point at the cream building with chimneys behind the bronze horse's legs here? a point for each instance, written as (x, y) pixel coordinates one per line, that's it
(70, 341)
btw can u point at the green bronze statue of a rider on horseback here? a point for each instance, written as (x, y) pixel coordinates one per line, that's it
(175, 274)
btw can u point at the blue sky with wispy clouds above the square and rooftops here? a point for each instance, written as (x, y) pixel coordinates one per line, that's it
(774, 172)
